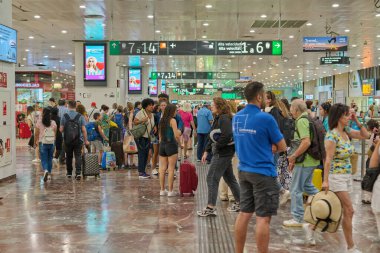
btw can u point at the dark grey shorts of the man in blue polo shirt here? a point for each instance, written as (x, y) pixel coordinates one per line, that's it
(259, 194)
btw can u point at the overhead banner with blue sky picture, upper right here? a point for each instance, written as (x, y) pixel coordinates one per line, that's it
(325, 44)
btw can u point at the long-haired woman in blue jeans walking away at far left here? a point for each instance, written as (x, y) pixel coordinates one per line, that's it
(45, 134)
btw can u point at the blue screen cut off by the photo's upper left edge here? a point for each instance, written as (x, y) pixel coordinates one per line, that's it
(8, 44)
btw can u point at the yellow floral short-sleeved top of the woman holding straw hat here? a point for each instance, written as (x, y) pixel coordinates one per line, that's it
(341, 163)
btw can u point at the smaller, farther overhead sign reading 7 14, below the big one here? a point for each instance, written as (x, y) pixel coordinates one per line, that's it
(195, 75)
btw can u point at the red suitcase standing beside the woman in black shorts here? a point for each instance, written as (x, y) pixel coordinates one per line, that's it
(188, 179)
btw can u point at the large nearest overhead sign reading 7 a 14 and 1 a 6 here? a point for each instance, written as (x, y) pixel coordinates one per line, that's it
(196, 47)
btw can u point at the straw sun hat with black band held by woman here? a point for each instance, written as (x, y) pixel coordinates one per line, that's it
(324, 211)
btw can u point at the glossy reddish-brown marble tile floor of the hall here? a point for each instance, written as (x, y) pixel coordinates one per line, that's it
(120, 213)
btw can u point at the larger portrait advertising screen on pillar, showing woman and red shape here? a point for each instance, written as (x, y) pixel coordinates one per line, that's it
(95, 62)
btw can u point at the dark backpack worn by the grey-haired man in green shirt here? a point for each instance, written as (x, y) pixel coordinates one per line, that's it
(317, 138)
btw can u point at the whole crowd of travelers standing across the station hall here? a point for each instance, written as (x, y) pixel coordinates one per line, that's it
(260, 155)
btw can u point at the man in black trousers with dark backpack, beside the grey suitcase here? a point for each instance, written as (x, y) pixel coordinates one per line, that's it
(73, 126)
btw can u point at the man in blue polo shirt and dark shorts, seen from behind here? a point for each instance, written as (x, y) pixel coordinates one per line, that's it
(256, 136)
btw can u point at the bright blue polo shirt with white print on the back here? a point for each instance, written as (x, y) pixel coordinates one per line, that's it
(254, 133)
